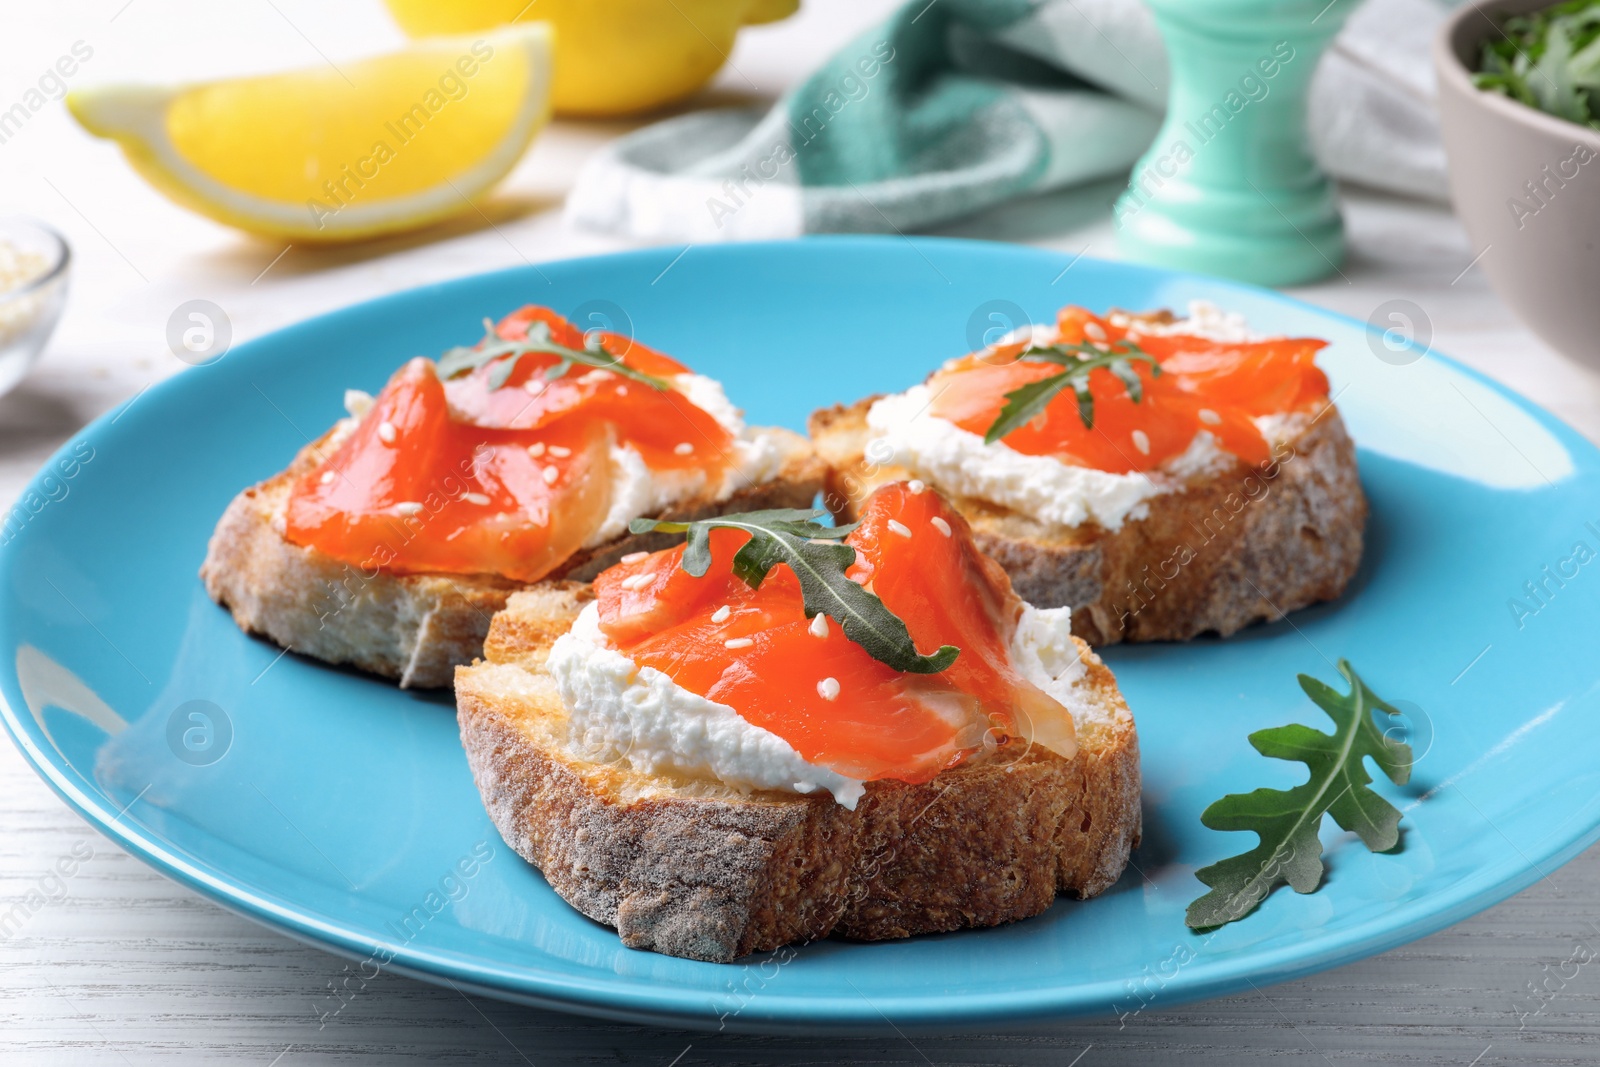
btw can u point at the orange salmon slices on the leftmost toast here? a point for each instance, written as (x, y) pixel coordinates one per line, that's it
(463, 479)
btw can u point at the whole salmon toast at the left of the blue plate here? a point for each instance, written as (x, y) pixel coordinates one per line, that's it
(393, 540)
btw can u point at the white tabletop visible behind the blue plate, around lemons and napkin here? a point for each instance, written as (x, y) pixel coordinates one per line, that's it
(140, 257)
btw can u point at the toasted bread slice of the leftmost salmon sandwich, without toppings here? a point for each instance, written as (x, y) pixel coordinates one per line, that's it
(412, 628)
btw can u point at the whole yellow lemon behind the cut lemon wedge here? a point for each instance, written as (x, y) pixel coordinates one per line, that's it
(612, 57)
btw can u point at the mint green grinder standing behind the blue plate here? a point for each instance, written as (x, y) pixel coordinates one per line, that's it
(1230, 186)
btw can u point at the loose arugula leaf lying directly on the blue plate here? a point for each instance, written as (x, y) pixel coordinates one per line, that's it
(1289, 821)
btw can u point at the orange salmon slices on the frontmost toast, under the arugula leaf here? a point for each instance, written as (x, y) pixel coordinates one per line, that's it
(804, 681)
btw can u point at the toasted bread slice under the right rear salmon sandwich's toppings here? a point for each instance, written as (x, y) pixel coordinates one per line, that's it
(1226, 551)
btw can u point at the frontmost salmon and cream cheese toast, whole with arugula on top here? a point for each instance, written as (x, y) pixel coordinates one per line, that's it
(782, 730)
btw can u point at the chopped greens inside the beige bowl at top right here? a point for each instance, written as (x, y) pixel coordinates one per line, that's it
(1550, 60)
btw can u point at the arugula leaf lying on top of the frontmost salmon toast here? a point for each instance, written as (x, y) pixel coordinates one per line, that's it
(818, 559)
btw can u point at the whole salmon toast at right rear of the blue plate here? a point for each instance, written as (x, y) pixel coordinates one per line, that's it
(1162, 476)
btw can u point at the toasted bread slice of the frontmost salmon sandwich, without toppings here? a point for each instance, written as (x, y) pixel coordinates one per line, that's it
(702, 871)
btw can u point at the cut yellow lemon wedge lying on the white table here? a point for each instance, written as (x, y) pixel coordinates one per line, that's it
(337, 154)
